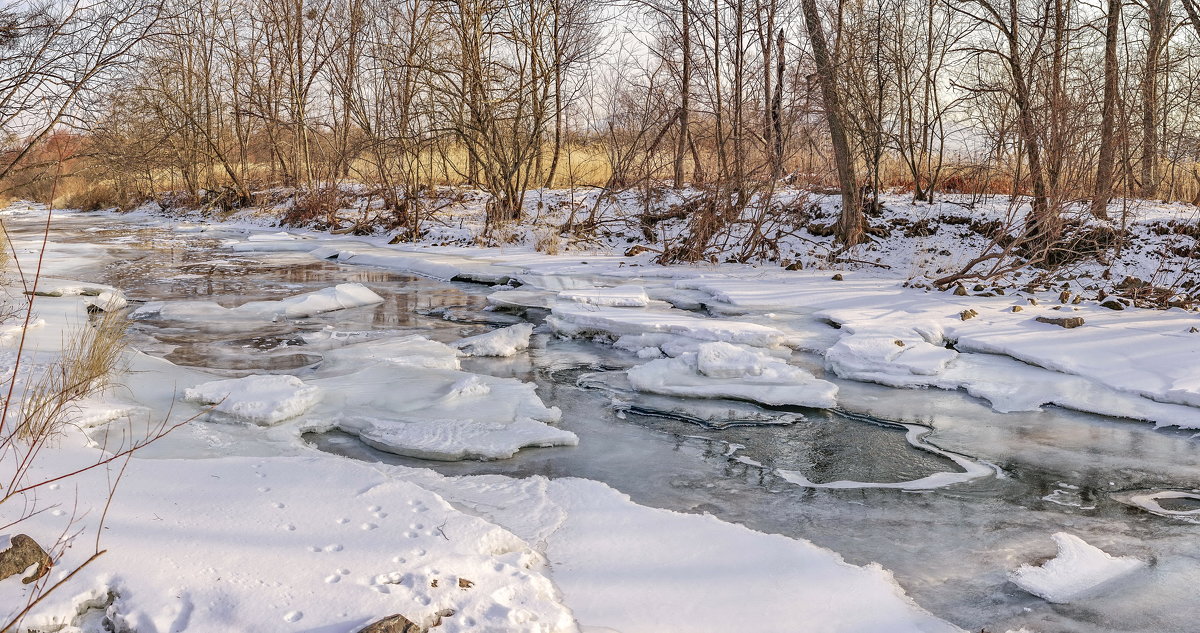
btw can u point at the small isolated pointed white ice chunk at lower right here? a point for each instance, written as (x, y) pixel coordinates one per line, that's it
(1077, 570)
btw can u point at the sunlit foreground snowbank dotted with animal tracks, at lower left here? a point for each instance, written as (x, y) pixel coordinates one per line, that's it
(298, 544)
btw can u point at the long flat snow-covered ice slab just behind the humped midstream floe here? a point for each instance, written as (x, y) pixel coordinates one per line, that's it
(584, 321)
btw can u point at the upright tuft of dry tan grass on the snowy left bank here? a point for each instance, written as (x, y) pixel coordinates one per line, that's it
(85, 369)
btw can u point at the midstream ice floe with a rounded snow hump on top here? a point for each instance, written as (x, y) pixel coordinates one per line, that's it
(725, 371)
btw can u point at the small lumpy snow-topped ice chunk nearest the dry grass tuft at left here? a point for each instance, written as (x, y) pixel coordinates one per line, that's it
(262, 400)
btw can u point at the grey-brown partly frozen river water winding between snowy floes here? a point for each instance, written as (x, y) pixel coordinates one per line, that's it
(951, 548)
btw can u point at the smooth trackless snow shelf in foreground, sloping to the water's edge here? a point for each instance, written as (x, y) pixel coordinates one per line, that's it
(638, 570)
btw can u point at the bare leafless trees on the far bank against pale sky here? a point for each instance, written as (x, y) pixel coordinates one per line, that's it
(1060, 101)
